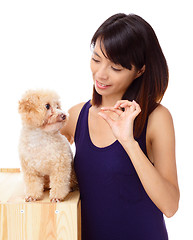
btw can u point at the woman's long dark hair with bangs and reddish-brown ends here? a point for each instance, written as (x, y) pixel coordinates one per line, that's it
(129, 40)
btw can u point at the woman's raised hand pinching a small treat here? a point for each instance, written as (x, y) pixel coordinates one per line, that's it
(122, 125)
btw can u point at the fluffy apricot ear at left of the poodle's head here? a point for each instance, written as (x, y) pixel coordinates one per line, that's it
(28, 104)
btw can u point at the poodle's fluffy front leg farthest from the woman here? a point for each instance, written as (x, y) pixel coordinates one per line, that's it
(33, 187)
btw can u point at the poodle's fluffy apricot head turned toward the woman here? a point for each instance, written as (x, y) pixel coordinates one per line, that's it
(42, 109)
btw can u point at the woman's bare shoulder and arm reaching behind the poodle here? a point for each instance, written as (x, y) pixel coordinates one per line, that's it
(69, 129)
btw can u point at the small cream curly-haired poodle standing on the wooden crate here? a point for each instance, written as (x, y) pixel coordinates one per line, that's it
(45, 154)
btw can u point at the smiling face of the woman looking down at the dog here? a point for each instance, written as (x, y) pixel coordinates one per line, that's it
(110, 79)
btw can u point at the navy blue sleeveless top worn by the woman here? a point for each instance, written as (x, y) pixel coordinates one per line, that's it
(114, 204)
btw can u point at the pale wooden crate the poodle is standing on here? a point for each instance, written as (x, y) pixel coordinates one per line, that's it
(39, 220)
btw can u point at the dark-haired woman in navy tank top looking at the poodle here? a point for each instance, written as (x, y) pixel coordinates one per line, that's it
(125, 143)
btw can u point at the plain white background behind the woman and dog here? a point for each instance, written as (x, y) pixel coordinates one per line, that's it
(46, 44)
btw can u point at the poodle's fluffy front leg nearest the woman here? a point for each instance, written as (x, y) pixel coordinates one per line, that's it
(60, 186)
